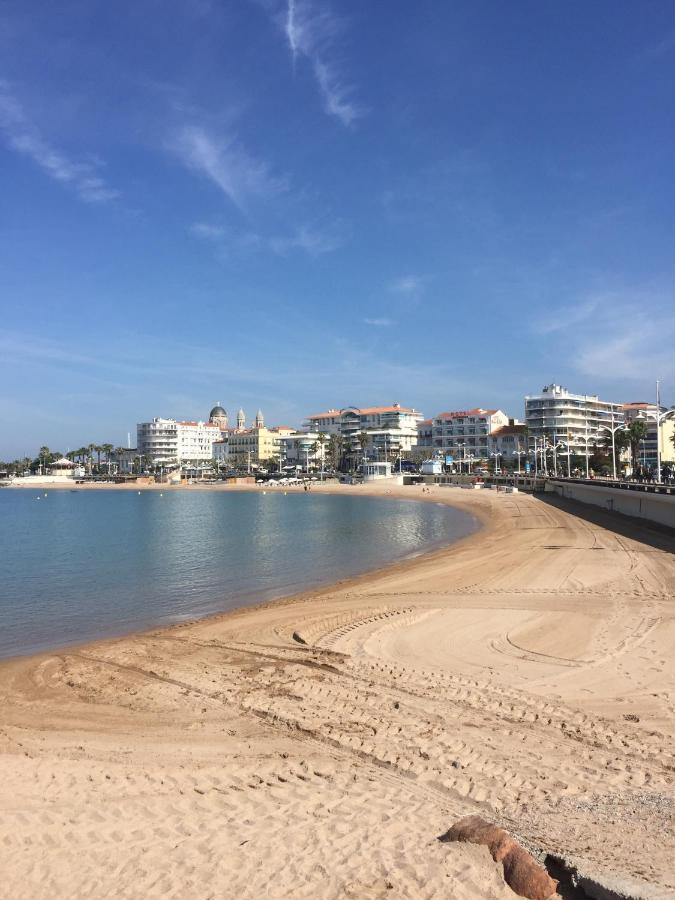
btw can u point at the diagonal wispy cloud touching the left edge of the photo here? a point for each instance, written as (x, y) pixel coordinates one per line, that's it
(21, 135)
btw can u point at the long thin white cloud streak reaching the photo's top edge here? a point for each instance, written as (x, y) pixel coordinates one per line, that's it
(312, 31)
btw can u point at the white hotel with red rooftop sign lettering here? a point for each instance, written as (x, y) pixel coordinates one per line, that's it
(465, 433)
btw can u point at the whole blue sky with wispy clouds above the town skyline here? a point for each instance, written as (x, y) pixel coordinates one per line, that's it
(299, 204)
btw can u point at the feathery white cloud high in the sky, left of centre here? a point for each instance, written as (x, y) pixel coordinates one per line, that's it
(223, 160)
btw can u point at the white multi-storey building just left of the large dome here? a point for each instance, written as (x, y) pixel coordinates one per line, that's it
(167, 442)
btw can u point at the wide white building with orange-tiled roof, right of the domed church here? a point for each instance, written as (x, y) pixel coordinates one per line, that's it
(390, 429)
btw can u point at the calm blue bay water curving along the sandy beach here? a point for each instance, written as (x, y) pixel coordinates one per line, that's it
(75, 566)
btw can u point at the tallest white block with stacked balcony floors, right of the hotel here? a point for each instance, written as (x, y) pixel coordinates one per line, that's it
(578, 420)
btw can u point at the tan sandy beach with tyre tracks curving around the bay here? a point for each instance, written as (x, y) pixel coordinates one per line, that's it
(525, 674)
